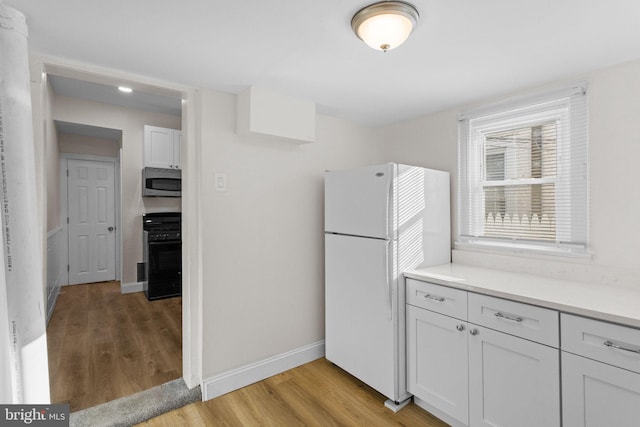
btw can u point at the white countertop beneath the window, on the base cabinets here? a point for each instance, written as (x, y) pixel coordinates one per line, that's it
(610, 303)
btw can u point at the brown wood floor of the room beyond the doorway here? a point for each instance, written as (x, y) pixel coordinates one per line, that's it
(104, 345)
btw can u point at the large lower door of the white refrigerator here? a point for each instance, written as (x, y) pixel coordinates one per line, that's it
(361, 324)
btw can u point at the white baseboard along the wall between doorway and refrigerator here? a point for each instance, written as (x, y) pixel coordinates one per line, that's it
(249, 374)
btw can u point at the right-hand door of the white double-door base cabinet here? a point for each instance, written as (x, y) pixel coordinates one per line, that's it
(513, 382)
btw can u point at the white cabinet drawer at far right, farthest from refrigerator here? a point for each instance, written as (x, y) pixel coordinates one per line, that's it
(609, 343)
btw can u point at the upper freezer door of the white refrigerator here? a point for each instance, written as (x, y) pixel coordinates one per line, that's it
(358, 201)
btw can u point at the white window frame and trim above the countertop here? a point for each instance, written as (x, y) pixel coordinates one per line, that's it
(556, 106)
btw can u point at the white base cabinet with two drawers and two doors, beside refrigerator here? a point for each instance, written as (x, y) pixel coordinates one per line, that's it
(482, 374)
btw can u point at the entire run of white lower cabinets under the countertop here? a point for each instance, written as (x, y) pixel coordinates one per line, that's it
(479, 361)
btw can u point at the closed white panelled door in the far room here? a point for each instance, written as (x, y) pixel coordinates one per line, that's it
(91, 211)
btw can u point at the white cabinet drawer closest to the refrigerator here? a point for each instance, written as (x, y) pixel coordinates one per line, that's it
(441, 299)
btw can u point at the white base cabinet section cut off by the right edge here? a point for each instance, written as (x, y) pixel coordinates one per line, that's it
(600, 373)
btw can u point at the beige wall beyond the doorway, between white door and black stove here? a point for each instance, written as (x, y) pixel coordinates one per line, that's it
(131, 123)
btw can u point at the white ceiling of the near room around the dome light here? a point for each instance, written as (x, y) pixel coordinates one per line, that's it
(461, 51)
